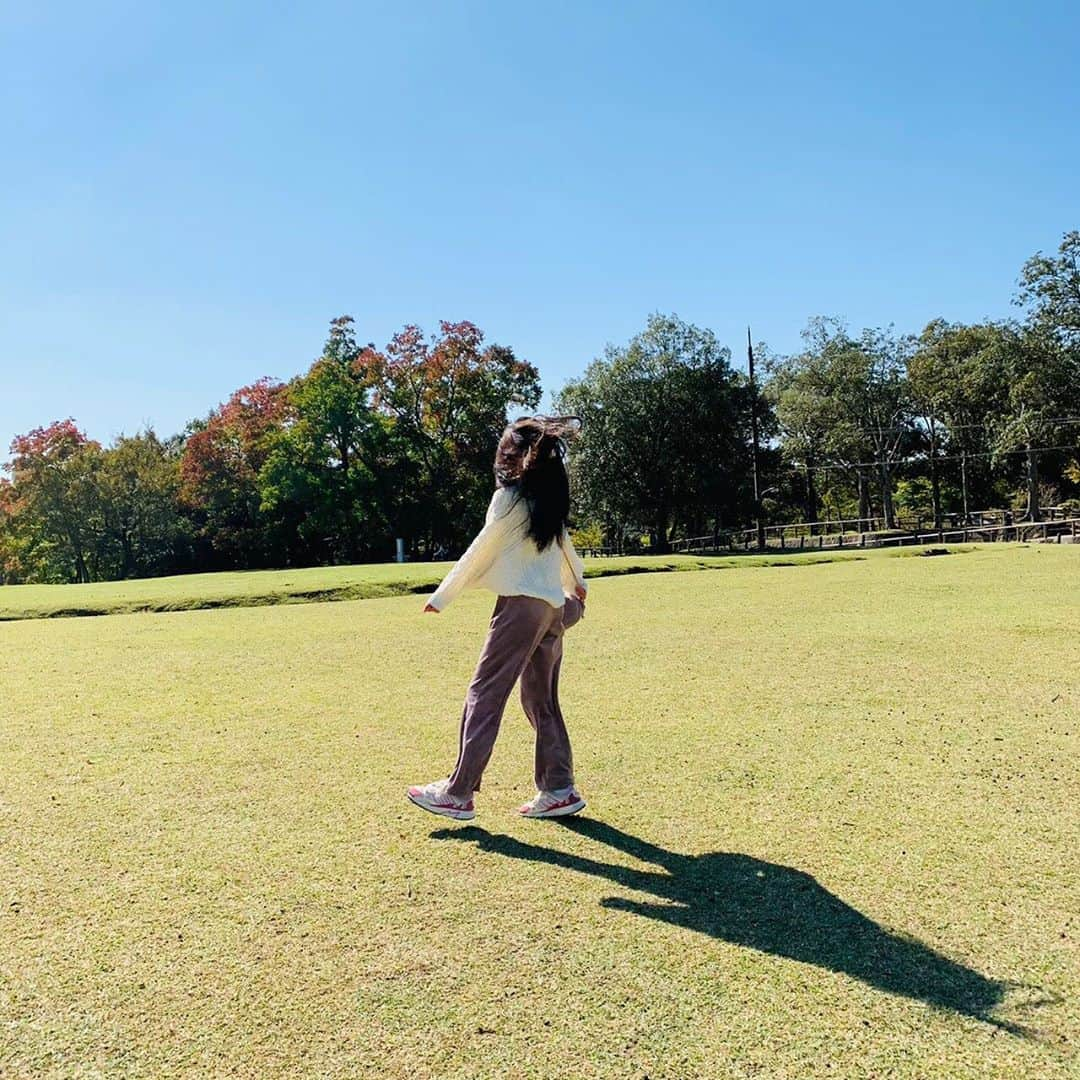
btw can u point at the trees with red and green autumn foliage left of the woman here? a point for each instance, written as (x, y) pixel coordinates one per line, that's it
(366, 447)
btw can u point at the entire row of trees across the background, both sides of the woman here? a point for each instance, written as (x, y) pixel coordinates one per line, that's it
(370, 445)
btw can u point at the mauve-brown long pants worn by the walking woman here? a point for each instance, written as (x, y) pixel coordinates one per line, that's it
(524, 641)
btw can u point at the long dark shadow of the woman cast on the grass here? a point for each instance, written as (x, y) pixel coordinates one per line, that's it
(768, 908)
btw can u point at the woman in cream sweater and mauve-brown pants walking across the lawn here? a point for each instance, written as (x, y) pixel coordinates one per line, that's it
(525, 556)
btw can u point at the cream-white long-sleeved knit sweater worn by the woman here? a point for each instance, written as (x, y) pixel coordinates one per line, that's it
(505, 559)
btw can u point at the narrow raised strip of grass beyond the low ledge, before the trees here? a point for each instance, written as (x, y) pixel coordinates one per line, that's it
(258, 588)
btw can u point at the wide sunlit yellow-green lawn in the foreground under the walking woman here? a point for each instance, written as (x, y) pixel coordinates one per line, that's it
(832, 831)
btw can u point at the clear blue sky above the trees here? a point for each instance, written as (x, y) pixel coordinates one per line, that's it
(191, 193)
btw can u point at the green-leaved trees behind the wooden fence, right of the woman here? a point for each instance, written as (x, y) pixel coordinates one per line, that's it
(857, 426)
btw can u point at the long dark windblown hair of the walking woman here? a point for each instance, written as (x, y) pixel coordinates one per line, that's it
(532, 457)
